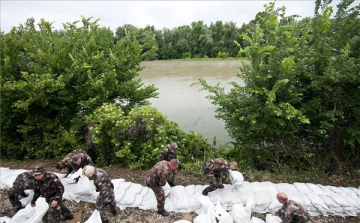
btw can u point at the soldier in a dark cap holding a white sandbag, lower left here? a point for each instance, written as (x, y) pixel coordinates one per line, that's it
(50, 187)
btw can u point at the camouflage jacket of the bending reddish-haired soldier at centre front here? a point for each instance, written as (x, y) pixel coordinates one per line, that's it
(159, 174)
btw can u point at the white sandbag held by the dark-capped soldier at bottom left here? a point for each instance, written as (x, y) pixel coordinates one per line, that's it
(31, 214)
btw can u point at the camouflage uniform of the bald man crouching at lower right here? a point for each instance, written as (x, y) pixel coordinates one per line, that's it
(292, 212)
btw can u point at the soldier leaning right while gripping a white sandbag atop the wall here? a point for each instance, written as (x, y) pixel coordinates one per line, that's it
(217, 171)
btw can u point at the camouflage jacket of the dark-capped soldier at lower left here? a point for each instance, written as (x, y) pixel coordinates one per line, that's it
(49, 187)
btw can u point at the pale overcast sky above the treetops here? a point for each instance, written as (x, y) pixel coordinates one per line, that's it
(168, 14)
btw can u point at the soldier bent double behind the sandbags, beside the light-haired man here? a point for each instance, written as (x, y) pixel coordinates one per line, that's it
(74, 160)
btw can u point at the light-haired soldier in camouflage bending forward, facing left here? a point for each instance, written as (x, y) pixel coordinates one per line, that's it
(103, 184)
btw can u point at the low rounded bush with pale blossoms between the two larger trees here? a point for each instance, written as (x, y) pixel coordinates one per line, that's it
(137, 139)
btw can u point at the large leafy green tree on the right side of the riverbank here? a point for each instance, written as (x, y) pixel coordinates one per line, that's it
(299, 105)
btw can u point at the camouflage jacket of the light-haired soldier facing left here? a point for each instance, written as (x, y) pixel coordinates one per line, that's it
(102, 182)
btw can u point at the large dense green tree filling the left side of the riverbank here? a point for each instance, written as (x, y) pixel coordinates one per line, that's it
(50, 80)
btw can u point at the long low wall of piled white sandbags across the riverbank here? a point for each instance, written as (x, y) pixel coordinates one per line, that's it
(237, 199)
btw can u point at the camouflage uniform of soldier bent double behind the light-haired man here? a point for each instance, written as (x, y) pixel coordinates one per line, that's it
(70, 165)
